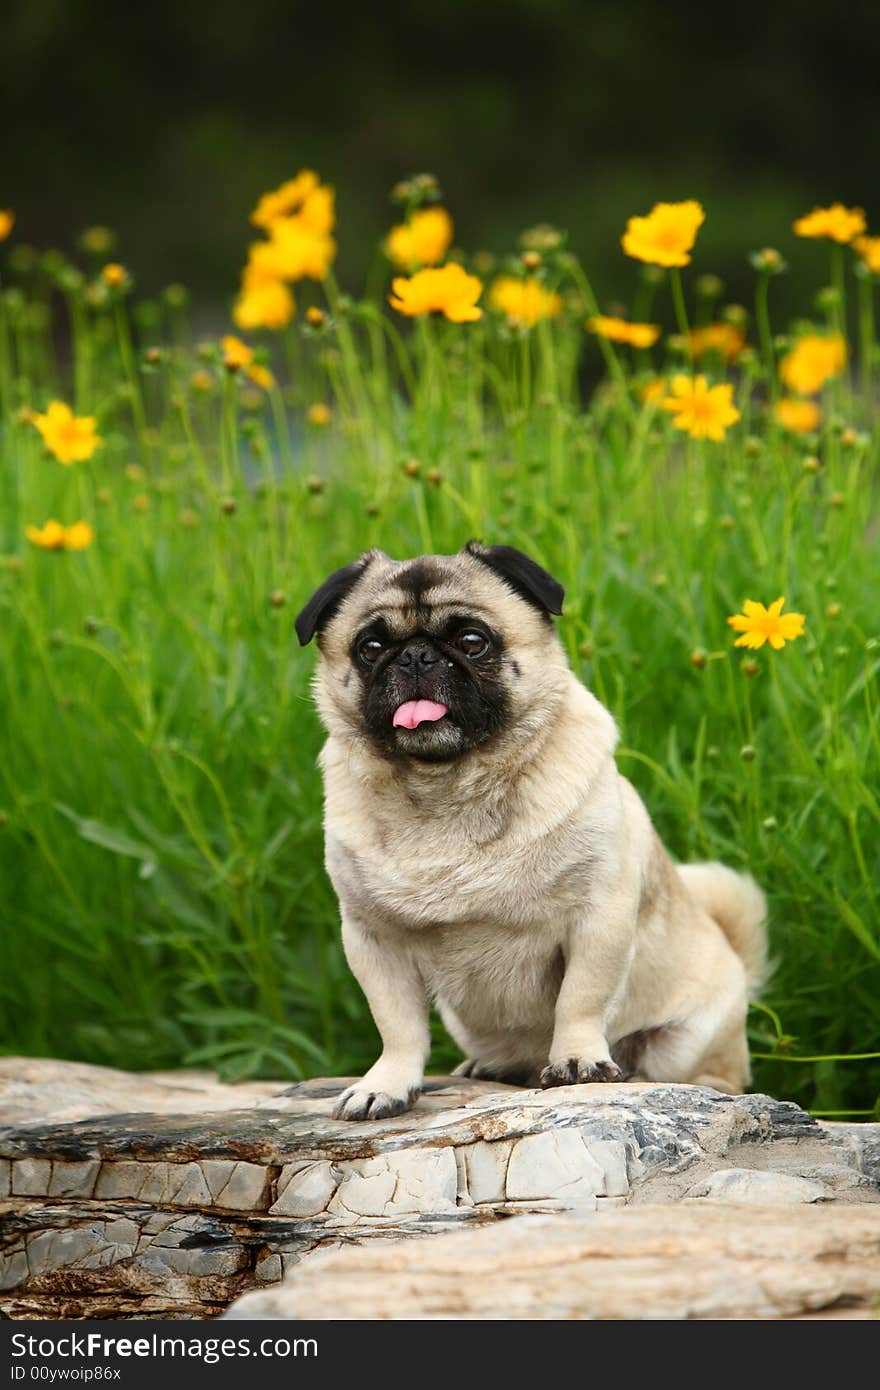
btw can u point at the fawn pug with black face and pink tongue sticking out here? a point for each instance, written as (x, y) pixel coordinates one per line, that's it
(490, 858)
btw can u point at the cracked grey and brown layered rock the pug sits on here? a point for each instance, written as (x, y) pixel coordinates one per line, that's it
(173, 1195)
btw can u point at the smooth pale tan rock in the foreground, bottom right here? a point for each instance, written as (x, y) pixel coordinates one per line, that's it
(658, 1263)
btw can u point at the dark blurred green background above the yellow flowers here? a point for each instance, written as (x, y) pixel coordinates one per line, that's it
(168, 122)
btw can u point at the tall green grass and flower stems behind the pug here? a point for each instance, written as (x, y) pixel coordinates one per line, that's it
(162, 893)
